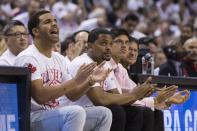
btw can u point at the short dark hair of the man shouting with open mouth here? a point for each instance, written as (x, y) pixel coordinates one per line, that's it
(34, 20)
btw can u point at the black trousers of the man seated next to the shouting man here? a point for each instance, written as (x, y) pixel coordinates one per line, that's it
(126, 118)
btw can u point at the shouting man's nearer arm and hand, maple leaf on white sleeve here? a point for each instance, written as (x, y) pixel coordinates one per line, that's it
(74, 88)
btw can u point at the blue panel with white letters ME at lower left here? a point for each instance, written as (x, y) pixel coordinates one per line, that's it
(8, 107)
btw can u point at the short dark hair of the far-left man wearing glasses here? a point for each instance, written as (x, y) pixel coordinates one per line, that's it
(10, 25)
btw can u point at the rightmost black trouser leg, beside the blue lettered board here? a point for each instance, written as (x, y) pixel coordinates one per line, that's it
(159, 122)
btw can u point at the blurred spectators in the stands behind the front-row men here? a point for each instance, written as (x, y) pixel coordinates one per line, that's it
(165, 28)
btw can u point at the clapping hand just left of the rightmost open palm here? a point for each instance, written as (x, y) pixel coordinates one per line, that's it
(164, 93)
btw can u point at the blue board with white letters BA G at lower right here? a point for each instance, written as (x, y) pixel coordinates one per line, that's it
(182, 117)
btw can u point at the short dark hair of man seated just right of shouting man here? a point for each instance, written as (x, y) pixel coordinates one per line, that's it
(93, 35)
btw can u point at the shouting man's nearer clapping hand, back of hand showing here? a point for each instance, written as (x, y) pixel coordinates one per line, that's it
(84, 72)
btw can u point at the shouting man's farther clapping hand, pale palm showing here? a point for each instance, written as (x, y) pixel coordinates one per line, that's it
(99, 74)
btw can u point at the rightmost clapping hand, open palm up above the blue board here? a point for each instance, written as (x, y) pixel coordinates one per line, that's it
(179, 98)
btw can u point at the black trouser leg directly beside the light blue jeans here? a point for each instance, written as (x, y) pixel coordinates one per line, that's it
(118, 119)
